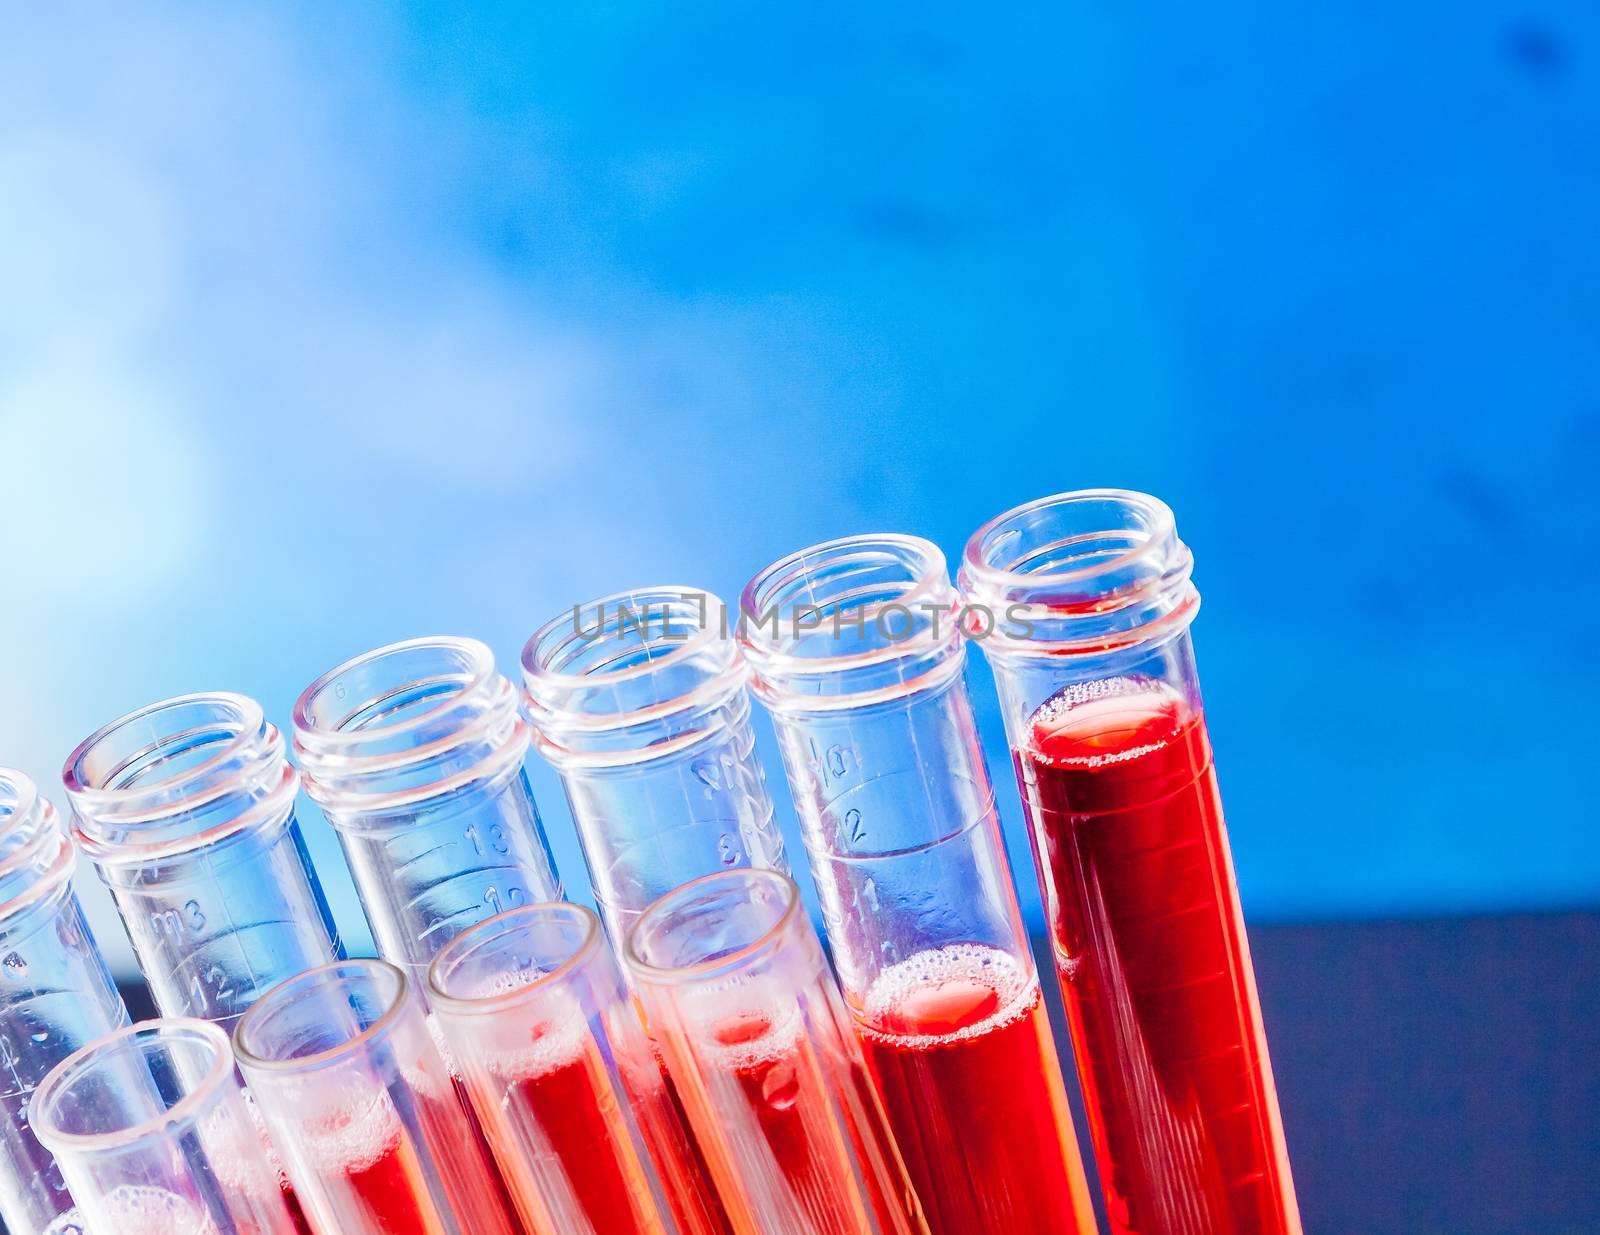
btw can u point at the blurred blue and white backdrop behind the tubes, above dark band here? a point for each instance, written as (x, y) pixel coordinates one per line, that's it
(327, 326)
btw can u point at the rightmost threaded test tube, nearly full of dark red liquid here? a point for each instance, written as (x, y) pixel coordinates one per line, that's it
(1082, 604)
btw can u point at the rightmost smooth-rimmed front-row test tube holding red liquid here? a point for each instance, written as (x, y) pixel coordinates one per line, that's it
(750, 1018)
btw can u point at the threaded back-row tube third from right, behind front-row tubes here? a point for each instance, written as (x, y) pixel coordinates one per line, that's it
(639, 703)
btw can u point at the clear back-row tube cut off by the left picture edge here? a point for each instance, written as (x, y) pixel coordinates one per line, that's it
(55, 997)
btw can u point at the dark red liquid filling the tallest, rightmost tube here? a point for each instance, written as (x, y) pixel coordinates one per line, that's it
(1154, 962)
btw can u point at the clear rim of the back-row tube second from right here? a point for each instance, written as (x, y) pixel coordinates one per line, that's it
(932, 582)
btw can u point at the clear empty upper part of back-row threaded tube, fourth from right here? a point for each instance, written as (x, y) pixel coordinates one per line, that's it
(415, 753)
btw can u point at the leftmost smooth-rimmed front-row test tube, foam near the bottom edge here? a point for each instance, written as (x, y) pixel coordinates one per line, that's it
(153, 1133)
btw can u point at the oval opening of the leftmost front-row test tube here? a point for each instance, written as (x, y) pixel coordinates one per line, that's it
(158, 1077)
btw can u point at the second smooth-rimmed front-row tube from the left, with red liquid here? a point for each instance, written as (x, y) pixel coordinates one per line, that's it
(358, 1095)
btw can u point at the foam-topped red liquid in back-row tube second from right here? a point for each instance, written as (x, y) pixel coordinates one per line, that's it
(961, 1049)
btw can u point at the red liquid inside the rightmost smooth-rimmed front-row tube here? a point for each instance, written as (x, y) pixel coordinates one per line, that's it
(788, 1161)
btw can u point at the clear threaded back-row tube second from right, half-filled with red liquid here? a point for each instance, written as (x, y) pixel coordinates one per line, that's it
(858, 657)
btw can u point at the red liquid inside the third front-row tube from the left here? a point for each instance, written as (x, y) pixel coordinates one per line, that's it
(567, 1113)
